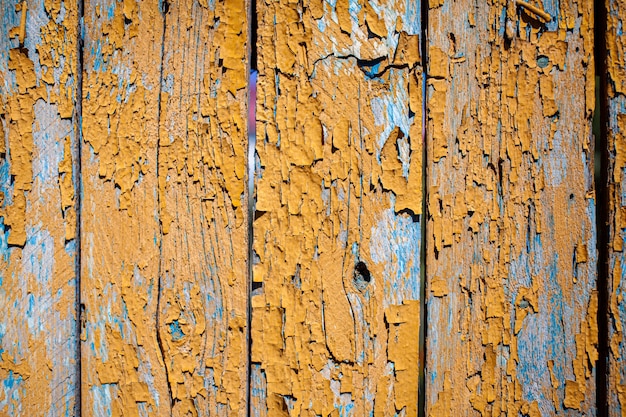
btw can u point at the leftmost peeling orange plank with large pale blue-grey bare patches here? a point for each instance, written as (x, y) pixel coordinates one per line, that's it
(38, 286)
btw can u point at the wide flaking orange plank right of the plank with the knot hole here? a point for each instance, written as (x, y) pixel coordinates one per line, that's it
(511, 236)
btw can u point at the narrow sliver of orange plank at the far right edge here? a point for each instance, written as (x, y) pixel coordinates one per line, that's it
(616, 142)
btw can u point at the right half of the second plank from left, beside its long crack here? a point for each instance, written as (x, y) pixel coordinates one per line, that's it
(204, 209)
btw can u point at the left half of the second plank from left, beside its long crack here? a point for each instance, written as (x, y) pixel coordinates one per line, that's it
(123, 372)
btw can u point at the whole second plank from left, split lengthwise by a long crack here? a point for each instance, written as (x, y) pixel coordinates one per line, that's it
(164, 223)
